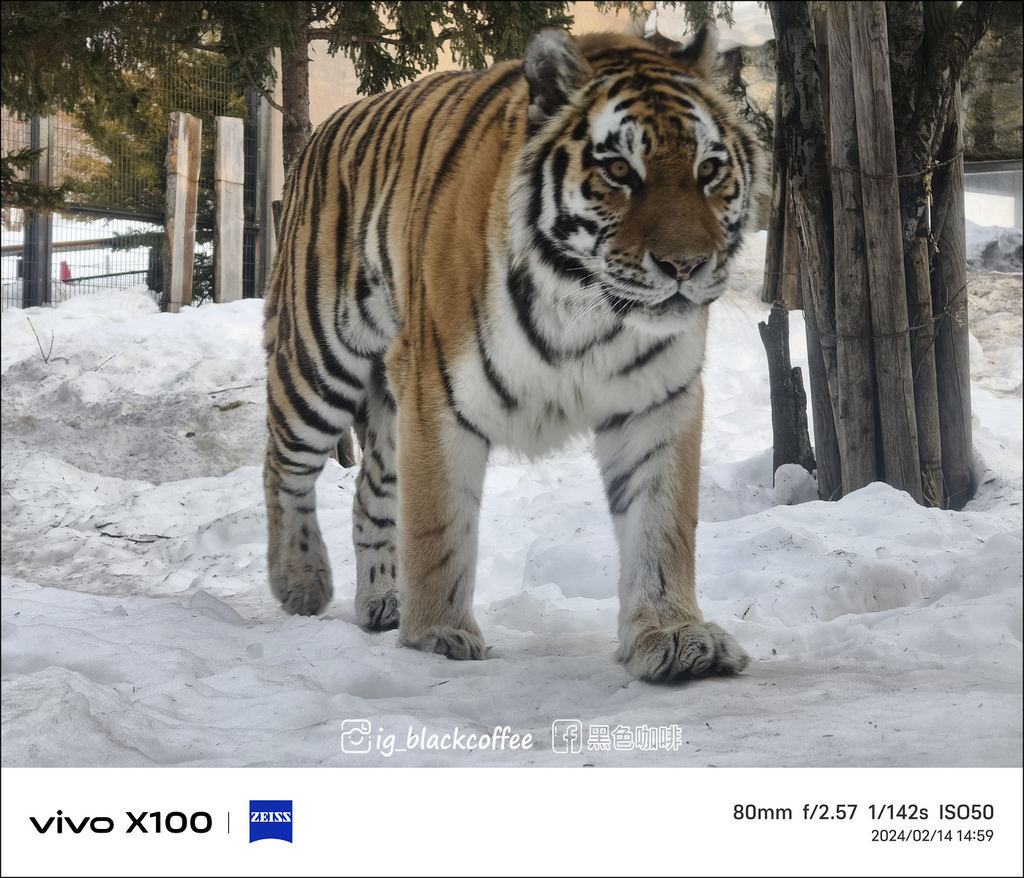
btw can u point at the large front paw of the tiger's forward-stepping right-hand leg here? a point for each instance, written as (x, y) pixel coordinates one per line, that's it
(665, 655)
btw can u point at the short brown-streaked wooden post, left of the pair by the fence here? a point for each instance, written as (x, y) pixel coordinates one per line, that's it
(184, 150)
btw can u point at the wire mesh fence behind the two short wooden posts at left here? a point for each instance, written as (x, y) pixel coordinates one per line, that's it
(111, 233)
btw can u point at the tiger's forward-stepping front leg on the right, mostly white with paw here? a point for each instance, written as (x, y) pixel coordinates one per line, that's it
(653, 496)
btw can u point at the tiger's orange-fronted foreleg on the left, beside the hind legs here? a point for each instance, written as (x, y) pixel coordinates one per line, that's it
(442, 464)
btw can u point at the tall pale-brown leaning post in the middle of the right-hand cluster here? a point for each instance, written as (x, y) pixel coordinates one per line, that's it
(884, 239)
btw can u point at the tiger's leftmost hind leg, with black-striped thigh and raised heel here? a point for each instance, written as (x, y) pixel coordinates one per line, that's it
(308, 410)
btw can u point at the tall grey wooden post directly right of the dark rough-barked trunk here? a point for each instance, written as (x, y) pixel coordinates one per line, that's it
(855, 355)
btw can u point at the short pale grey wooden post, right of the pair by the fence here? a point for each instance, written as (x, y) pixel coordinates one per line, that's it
(229, 224)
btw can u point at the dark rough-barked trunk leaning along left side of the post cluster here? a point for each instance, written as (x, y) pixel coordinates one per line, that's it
(808, 173)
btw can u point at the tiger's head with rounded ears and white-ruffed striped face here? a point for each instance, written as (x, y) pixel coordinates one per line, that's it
(636, 178)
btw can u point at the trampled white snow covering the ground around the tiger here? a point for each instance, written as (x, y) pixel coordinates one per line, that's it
(139, 629)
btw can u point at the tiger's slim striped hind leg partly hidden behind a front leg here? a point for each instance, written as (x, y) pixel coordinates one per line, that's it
(375, 511)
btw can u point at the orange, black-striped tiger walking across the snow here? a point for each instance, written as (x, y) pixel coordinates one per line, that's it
(507, 259)
